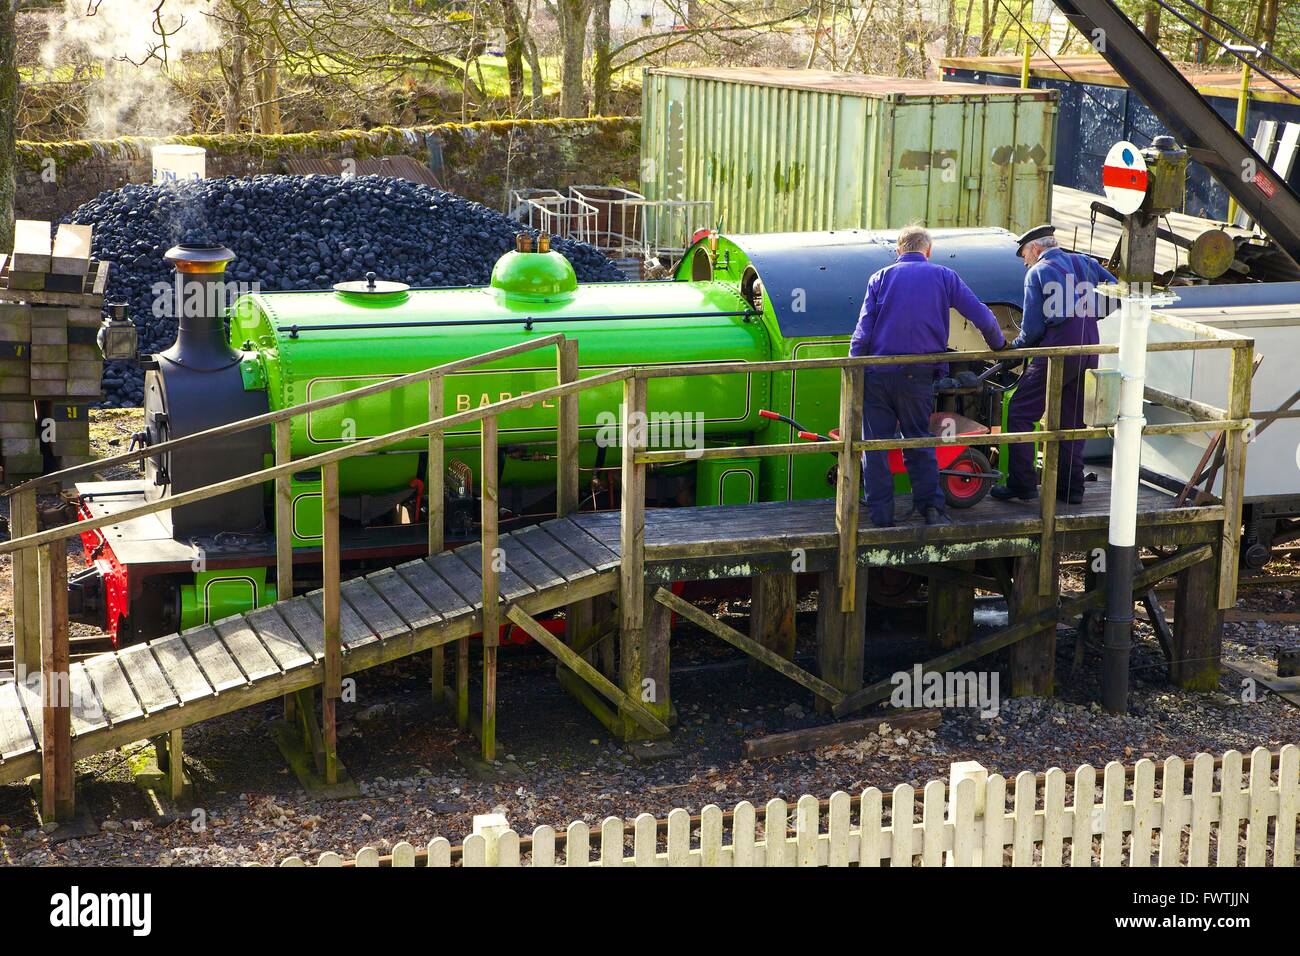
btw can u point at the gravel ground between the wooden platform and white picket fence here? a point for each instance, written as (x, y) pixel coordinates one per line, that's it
(401, 752)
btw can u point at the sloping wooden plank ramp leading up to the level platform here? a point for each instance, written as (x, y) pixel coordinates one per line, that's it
(174, 682)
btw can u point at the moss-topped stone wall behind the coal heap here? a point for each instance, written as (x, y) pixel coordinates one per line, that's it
(482, 161)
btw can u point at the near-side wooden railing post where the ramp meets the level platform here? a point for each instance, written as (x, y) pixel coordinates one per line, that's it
(632, 531)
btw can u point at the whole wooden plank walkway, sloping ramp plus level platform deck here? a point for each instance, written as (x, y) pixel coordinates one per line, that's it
(174, 682)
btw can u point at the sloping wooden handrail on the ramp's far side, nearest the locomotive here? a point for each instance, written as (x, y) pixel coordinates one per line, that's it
(287, 414)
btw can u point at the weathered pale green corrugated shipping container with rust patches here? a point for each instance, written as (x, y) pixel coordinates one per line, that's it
(782, 150)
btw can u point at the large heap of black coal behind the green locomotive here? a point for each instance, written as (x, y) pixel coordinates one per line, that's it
(296, 233)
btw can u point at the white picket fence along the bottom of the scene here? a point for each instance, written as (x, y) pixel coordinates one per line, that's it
(1134, 824)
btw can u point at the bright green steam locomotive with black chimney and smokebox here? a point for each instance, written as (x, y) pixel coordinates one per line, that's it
(734, 300)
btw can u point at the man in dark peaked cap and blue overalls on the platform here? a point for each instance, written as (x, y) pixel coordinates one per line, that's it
(1061, 308)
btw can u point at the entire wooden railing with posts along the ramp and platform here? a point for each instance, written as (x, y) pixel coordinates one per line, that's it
(40, 565)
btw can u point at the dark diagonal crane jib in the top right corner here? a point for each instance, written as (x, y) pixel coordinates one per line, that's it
(1210, 140)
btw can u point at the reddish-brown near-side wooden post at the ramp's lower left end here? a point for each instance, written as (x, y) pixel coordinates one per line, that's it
(58, 798)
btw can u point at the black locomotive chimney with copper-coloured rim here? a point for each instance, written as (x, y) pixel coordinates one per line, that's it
(201, 336)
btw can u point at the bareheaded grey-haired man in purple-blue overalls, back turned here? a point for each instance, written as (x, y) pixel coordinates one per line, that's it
(907, 313)
